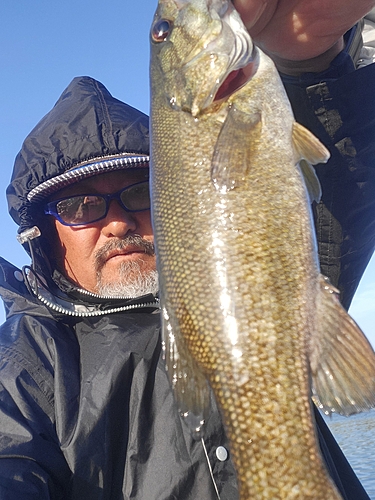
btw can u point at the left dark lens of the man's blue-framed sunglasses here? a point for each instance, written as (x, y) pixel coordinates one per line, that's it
(81, 209)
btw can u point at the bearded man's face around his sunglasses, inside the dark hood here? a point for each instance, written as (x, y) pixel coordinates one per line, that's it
(101, 255)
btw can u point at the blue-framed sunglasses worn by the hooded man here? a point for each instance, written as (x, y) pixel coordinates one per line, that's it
(84, 209)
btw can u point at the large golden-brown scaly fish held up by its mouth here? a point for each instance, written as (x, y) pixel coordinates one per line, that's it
(245, 311)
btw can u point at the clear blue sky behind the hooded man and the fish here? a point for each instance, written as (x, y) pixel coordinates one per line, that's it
(44, 44)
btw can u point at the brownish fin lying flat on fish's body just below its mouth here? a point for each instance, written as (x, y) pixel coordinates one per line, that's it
(232, 153)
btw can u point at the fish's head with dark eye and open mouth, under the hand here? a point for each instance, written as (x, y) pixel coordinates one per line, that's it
(200, 50)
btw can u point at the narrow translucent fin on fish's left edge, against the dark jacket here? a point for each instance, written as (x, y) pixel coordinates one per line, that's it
(189, 385)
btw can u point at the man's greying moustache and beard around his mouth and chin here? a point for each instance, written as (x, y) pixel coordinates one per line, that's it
(132, 280)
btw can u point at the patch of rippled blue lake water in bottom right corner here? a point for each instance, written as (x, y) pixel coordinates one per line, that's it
(356, 436)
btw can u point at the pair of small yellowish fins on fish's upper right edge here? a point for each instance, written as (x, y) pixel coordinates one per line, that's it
(309, 151)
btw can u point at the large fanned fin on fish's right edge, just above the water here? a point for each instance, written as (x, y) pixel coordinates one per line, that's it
(342, 360)
